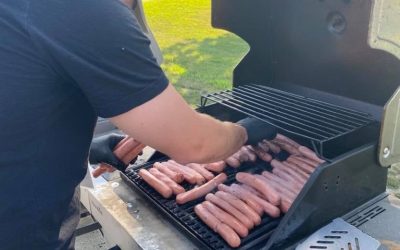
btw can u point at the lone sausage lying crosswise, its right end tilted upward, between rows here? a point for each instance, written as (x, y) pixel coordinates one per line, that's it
(201, 190)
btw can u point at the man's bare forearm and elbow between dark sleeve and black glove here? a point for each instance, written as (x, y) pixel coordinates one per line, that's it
(168, 124)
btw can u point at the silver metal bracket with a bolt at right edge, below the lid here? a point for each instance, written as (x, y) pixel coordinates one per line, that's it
(389, 146)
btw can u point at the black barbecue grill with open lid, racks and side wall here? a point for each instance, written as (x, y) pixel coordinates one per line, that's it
(320, 72)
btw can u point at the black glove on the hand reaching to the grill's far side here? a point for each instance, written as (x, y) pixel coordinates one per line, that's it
(257, 130)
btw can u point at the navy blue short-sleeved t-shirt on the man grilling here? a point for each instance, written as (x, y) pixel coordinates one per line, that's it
(62, 64)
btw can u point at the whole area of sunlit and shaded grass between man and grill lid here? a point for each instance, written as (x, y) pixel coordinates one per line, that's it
(197, 58)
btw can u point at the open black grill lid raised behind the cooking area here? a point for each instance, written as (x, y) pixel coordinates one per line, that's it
(318, 48)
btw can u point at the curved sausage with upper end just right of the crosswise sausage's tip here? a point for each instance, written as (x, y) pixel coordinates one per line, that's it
(265, 189)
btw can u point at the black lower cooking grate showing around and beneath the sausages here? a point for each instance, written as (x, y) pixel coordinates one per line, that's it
(186, 219)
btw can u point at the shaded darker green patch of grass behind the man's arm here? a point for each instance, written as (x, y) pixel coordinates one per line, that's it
(196, 67)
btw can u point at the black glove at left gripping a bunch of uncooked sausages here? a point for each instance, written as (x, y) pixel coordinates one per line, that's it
(101, 151)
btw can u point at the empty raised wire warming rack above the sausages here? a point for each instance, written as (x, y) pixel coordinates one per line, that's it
(299, 115)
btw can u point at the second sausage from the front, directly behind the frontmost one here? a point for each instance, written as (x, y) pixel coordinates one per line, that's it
(226, 218)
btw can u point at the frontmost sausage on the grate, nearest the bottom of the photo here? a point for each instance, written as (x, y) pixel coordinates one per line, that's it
(227, 233)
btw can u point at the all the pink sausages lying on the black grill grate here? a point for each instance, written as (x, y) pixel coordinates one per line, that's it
(234, 210)
